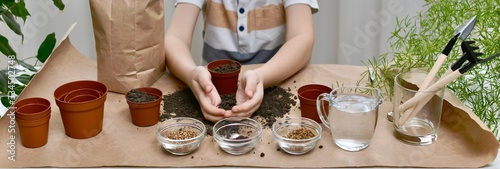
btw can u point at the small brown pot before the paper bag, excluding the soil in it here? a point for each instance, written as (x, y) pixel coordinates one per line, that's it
(148, 113)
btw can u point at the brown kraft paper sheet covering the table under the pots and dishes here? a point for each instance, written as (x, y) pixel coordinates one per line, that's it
(463, 141)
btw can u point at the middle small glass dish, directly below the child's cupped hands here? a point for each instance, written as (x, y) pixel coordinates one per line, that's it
(237, 135)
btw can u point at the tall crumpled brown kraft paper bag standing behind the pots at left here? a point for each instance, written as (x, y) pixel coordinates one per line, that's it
(129, 42)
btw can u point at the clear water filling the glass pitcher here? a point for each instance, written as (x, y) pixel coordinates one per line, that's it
(353, 118)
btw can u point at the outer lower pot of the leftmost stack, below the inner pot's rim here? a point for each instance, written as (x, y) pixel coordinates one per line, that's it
(34, 133)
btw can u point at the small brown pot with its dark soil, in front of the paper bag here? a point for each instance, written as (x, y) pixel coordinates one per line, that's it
(144, 105)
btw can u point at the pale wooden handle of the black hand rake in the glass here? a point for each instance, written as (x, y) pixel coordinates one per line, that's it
(425, 97)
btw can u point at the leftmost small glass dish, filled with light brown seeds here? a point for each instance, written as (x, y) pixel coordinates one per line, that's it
(180, 135)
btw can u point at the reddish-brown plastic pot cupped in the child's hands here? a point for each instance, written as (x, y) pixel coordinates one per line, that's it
(225, 83)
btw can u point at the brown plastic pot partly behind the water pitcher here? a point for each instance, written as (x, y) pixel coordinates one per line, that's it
(307, 98)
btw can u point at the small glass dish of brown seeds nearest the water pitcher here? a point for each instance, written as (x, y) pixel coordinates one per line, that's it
(296, 135)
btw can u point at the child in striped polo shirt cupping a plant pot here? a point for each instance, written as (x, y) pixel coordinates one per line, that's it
(278, 33)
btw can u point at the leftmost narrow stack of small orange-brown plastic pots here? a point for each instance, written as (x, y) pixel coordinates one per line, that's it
(32, 116)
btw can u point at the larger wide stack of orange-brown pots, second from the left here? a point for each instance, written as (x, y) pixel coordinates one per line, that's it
(81, 104)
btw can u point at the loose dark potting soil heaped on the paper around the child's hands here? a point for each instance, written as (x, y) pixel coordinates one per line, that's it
(276, 103)
